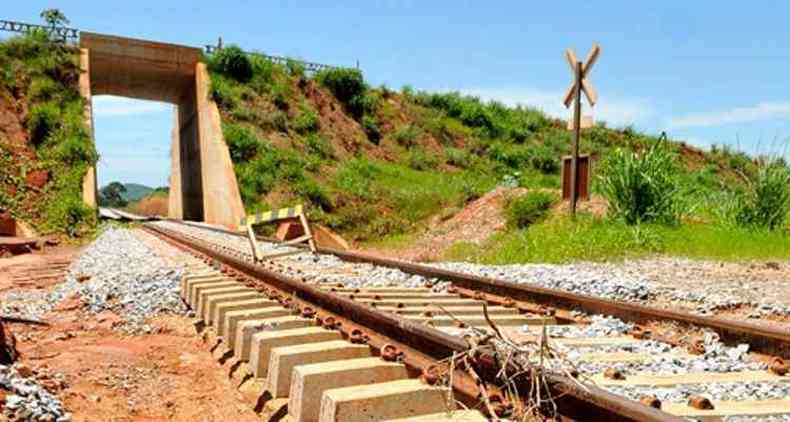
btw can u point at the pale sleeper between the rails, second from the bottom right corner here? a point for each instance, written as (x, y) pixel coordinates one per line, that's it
(697, 378)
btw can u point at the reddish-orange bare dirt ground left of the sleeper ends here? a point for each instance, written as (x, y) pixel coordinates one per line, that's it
(102, 375)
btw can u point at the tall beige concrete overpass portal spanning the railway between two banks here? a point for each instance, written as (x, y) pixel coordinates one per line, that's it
(203, 186)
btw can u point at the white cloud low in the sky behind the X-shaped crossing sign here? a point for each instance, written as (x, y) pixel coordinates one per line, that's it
(615, 111)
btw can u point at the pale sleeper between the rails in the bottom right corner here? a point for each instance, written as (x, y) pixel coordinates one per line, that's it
(732, 408)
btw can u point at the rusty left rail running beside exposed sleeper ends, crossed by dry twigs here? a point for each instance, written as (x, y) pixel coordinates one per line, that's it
(426, 345)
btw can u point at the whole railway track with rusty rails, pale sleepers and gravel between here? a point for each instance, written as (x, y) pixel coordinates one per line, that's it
(324, 342)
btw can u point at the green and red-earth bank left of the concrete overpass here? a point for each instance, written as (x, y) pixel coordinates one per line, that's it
(45, 148)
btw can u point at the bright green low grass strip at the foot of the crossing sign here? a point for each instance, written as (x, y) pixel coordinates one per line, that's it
(559, 240)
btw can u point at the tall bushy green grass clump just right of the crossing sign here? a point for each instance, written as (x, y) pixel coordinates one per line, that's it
(642, 187)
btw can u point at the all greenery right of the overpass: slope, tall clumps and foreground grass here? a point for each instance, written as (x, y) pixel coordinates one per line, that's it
(372, 162)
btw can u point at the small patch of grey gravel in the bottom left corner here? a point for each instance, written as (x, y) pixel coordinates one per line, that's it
(27, 400)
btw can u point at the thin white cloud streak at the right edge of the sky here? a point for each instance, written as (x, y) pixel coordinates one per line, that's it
(761, 111)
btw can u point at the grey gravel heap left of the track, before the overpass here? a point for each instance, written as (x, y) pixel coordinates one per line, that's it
(117, 273)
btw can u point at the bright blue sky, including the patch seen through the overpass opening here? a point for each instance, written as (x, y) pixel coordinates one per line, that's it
(704, 71)
